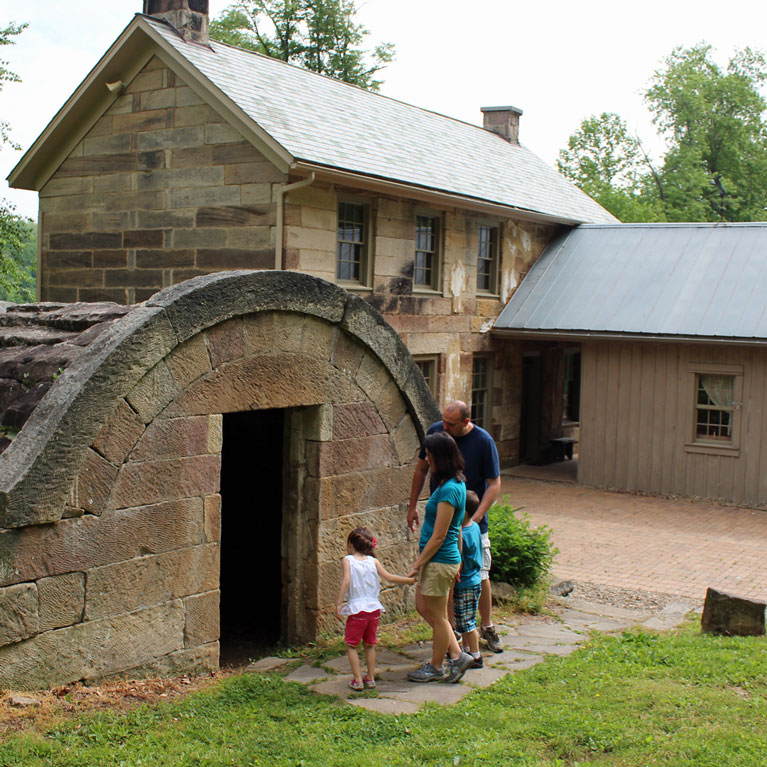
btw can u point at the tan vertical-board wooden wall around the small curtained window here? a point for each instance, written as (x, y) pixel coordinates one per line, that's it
(637, 402)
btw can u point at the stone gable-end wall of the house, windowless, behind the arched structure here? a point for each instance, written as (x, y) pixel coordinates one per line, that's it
(159, 190)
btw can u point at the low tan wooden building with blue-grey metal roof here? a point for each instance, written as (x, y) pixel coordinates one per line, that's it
(670, 321)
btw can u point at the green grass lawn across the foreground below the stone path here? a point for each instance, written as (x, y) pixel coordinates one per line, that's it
(678, 699)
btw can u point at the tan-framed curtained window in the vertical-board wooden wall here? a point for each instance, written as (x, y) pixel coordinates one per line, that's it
(717, 391)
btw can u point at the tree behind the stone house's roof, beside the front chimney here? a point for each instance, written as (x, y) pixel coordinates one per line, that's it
(320, 35)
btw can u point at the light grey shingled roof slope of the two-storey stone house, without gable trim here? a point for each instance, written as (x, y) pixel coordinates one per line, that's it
(321, 120)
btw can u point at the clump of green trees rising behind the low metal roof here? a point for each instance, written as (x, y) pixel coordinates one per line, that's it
(715, 164)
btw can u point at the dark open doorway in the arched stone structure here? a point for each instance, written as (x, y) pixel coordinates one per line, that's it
(252, 609)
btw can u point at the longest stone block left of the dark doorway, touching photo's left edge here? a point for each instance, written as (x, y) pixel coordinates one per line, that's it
(81, 544)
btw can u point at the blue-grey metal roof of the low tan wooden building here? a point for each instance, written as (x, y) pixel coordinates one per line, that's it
(668, 280)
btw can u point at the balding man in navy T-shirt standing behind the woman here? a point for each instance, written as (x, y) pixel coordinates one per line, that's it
(483, 476)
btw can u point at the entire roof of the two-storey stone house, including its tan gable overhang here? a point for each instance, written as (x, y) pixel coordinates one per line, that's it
(309, 118)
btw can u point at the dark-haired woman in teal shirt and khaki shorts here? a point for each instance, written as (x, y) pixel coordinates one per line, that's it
(439, 558)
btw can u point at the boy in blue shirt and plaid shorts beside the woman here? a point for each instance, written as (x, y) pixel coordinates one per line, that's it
(468, 587)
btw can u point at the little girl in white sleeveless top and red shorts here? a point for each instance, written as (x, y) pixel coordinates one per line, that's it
(360, 586)
